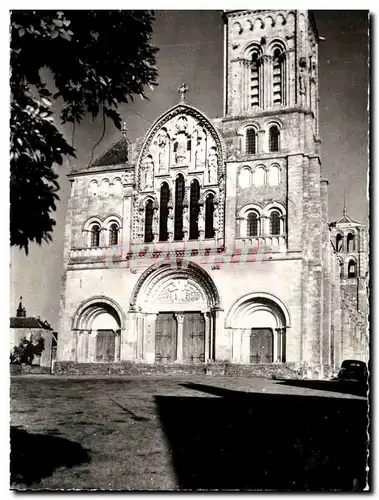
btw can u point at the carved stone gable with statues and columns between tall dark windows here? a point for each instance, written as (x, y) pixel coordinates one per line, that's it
(183, 138)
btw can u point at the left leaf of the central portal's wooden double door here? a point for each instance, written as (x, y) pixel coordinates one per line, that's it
(165, 338)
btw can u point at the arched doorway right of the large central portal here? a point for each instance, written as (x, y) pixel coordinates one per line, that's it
(259, 324)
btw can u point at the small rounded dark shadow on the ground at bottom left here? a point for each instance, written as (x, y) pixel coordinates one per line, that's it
(35, 456)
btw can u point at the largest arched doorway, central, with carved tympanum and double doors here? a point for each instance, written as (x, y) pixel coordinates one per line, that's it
(174, 309)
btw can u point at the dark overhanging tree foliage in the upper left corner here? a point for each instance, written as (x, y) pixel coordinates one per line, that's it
(97, 59)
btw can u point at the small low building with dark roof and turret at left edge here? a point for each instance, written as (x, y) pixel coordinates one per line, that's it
(22, 326)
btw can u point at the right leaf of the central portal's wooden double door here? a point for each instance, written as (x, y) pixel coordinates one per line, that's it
(193, 338)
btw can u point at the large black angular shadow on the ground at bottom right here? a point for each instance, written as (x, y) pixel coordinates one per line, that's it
(254, 441)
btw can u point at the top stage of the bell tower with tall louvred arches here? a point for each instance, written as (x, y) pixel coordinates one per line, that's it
(271, 64)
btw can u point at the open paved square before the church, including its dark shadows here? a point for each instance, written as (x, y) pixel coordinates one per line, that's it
(186, 433)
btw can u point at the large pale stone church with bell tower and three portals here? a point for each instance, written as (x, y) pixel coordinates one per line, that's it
(208, 241)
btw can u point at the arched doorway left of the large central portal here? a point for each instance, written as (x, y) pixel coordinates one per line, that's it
(97, 326)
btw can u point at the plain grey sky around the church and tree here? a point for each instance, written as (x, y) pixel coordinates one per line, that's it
(191, 51)
